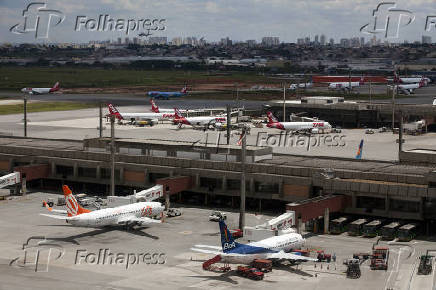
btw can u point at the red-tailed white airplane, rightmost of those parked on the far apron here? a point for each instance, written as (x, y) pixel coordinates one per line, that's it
(312, 127)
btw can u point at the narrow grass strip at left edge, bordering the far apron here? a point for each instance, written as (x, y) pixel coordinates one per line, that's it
(44, 107)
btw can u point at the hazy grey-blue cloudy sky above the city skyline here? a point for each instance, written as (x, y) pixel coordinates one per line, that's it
(215, 19)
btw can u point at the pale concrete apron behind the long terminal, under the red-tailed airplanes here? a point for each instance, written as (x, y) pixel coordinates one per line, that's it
(82, 124)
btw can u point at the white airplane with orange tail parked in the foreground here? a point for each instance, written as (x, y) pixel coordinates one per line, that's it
(140, 213)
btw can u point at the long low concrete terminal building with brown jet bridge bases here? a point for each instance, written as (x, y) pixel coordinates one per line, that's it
(204, 175)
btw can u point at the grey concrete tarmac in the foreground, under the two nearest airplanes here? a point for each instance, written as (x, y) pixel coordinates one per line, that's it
(70, 263)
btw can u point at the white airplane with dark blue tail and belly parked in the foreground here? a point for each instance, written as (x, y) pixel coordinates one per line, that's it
(278, 248)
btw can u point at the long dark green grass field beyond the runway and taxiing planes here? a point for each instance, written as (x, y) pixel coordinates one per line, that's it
(14, 78)
